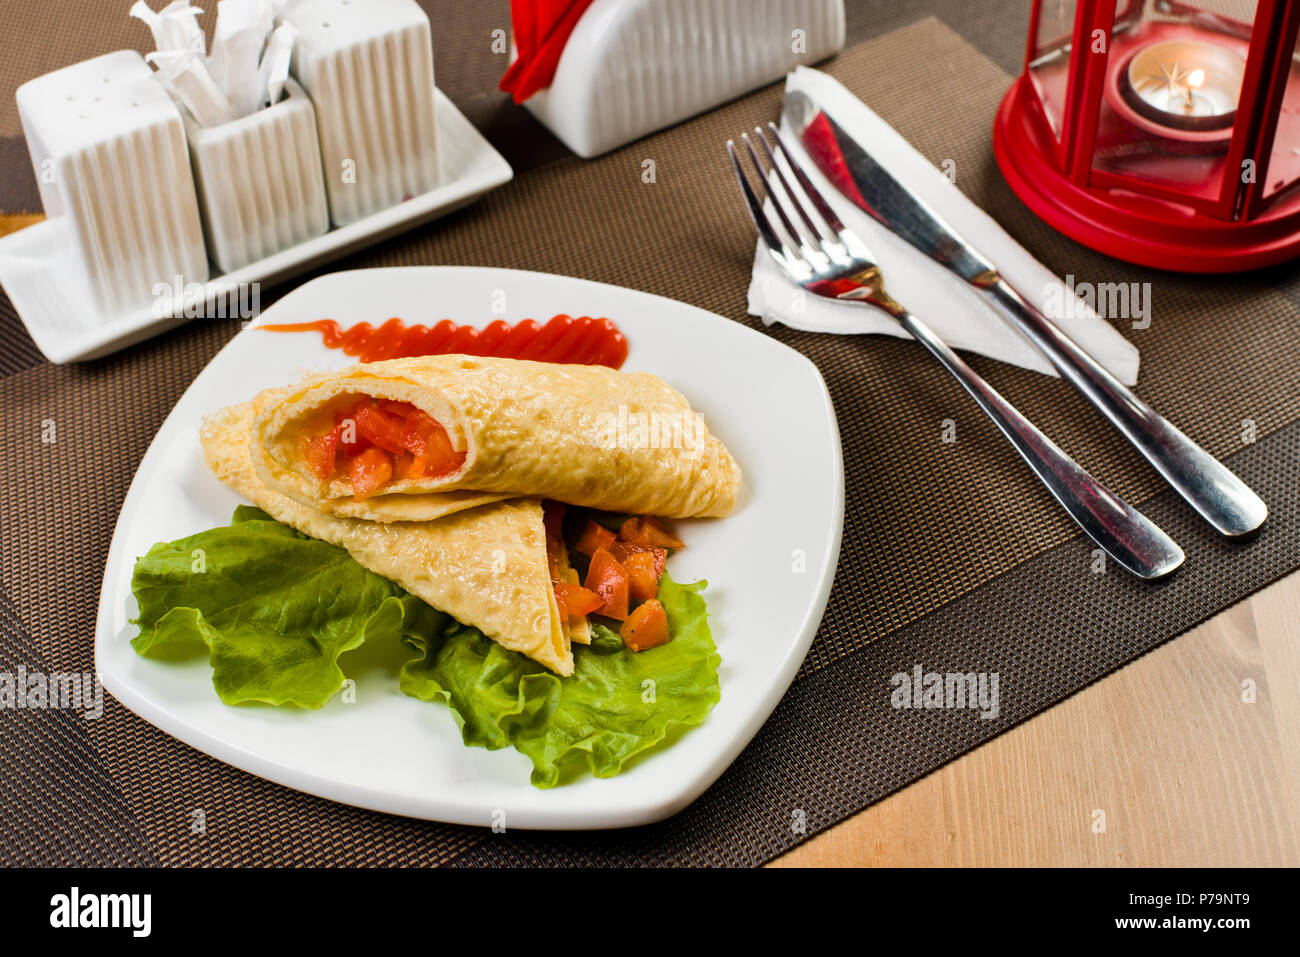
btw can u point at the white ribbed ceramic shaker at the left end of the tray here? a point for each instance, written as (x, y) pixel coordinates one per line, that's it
(110, 153)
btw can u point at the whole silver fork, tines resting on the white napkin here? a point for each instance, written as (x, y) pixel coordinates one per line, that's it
(830, 261)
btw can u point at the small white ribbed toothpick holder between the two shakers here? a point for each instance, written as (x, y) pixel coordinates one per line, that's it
(261, 181)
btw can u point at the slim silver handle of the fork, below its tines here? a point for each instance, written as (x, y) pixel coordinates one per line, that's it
(1128, 536)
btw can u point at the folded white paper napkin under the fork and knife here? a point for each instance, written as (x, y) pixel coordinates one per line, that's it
(931, 293)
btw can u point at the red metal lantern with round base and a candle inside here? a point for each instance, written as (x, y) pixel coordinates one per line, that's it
(1160, 133)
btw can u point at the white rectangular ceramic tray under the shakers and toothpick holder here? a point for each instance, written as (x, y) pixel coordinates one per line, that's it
(66, 321)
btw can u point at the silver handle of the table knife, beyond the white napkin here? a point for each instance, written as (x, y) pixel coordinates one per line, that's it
(1223, 500)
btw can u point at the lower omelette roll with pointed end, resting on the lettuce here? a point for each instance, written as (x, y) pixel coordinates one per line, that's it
(486, 566)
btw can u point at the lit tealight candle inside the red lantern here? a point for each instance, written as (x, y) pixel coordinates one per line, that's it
(1186, 85)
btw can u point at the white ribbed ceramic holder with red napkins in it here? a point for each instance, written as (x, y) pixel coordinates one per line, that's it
(635, 67)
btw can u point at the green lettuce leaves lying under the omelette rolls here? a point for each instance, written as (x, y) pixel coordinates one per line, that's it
(278, 609)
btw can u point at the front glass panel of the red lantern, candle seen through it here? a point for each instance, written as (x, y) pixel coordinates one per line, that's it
(1169, 98)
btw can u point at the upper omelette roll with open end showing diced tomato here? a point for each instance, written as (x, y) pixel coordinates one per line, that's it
(583, 435)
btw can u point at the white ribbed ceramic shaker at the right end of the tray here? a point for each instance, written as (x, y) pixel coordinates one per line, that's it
(369, 70)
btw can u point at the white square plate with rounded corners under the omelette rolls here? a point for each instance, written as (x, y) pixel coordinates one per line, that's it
(769, 565)
